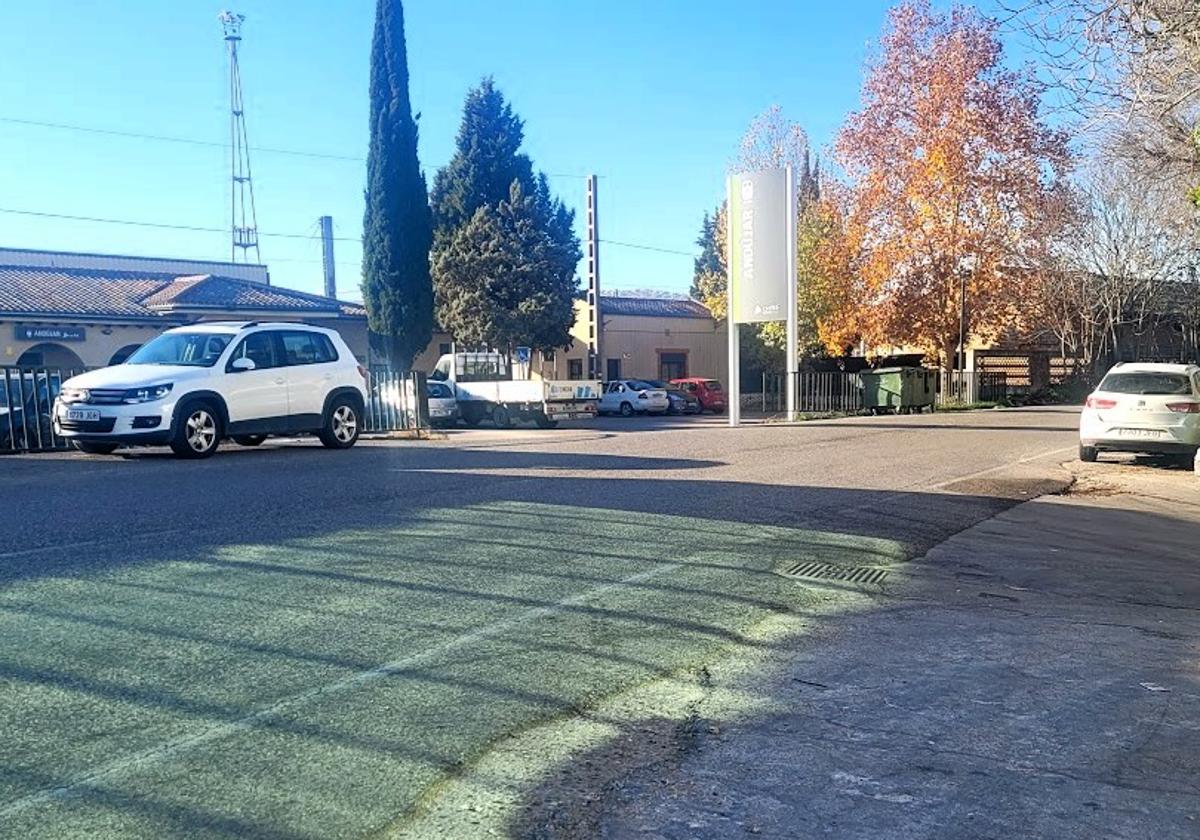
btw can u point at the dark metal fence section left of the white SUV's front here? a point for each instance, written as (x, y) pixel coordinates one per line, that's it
(27, 401)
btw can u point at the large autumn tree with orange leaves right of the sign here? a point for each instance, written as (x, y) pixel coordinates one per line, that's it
(953, 176)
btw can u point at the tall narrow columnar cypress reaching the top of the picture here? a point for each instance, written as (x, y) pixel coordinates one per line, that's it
(397, 226)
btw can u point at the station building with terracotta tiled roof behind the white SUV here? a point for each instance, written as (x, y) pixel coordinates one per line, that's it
(74, 310)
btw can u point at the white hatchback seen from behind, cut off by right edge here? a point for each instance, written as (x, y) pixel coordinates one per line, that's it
(1144, 409)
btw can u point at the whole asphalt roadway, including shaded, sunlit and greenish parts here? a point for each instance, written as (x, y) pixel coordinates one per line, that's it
(289, 643)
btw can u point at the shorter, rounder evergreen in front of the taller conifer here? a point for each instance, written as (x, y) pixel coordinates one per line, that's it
(507, 279)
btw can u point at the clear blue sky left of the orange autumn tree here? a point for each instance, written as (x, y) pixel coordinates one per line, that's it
(652, 97)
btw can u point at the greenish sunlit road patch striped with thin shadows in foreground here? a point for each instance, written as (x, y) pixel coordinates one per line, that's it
(320, 687)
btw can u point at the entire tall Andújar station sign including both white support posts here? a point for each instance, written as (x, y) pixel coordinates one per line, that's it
(761, 262)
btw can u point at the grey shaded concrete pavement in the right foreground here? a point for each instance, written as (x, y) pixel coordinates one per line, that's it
(1036, 676)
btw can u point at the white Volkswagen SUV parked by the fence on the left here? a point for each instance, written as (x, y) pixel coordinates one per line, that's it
(195, 386)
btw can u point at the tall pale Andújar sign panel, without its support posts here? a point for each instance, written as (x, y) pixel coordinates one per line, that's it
(759, 245)
